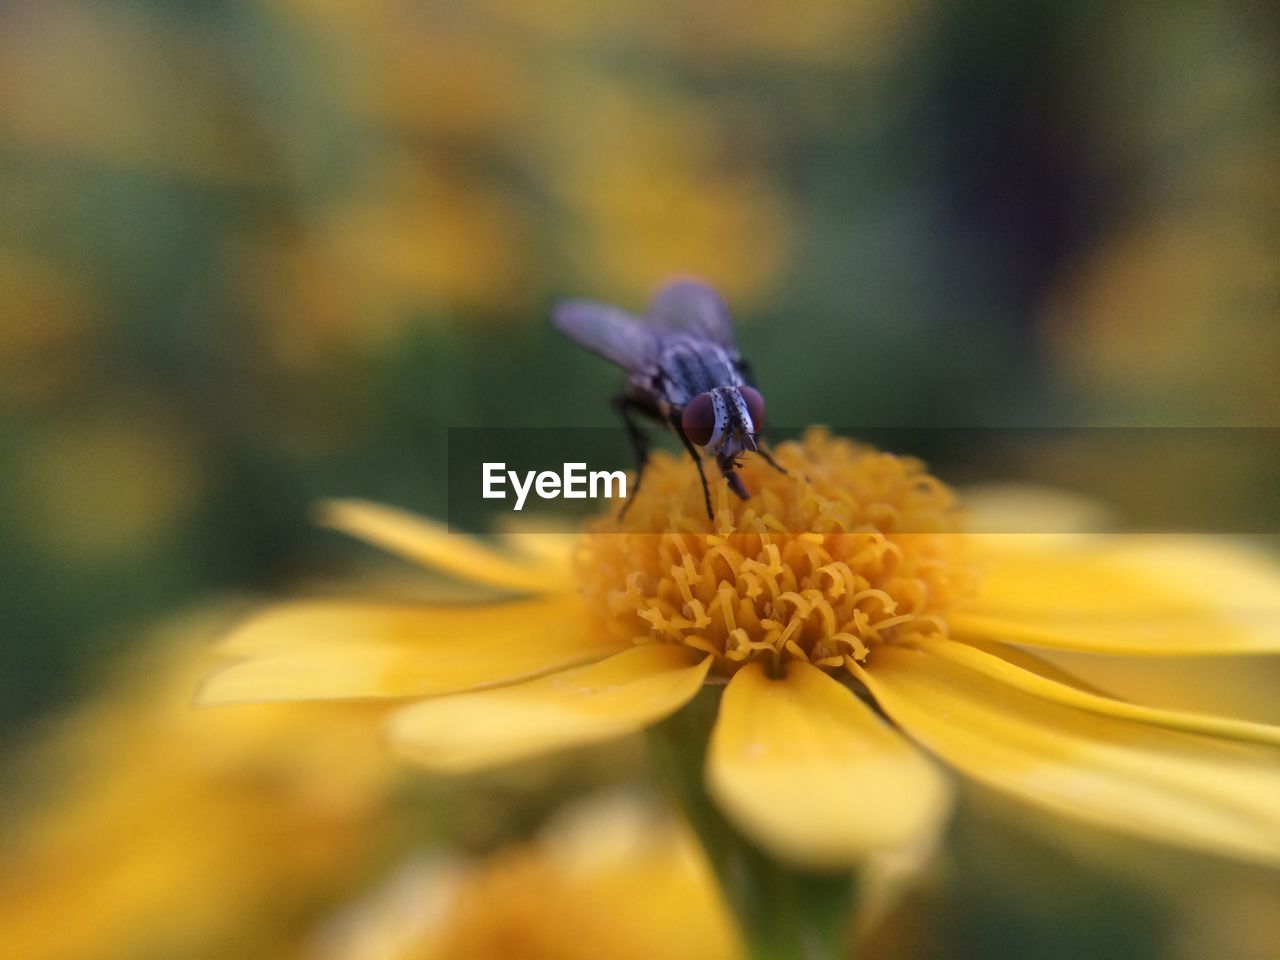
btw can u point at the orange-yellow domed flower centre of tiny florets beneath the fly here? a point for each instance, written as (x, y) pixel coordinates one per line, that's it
(847, 551)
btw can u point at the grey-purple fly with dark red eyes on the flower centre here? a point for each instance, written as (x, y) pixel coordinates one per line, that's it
(683, 371)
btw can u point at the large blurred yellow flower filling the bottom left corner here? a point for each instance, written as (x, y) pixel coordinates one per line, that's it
(161, 830)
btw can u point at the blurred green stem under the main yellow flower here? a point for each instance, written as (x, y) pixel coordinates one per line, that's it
(784, 912)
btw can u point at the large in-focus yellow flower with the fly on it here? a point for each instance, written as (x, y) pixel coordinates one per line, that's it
(848, 615)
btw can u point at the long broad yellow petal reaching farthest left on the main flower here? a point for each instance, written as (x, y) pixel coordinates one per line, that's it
(333, 651)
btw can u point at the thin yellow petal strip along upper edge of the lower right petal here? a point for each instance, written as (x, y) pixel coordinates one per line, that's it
(1072, 696)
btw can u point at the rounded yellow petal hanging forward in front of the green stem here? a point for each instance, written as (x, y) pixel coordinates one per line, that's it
(812, 774)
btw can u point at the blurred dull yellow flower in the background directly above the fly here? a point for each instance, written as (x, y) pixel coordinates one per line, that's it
(655, 188)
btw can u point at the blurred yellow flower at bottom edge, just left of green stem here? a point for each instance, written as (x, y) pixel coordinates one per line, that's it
(607, 879)
